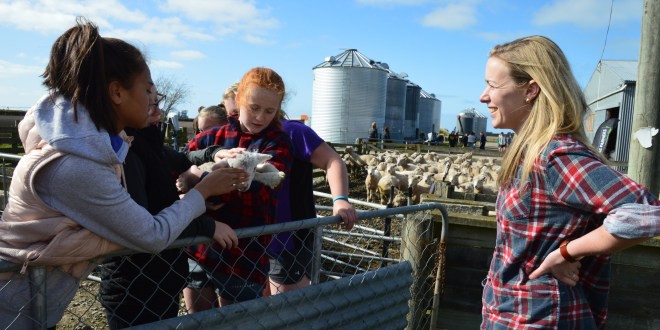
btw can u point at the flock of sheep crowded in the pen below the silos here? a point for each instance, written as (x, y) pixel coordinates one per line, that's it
(396, 172)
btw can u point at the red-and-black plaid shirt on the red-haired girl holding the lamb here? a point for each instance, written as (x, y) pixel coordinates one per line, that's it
(255, 207)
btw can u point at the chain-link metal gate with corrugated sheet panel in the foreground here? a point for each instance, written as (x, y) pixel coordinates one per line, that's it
(387, 272)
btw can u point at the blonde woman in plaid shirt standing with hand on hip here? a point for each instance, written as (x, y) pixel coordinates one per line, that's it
(560, 209)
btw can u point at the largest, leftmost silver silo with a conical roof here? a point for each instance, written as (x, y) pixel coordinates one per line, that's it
(348, 94)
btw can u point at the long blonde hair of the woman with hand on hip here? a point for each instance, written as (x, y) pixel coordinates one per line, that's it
(559, 107)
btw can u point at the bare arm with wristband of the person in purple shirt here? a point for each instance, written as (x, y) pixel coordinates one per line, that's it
(325, 158)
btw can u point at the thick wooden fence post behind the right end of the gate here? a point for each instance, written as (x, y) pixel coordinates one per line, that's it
(417, 241)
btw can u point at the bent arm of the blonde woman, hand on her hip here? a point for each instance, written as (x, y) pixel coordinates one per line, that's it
(578, 180)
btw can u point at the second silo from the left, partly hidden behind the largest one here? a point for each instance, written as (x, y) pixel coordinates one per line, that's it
(395, 105)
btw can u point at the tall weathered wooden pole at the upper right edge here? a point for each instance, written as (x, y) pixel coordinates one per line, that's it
(644, 164)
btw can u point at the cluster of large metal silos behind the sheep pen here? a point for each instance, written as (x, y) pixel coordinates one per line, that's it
(350, 91)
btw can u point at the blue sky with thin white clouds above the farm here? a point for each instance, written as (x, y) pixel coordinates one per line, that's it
(207, 45)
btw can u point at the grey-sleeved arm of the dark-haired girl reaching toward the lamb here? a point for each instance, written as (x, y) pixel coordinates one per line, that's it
(91, 195)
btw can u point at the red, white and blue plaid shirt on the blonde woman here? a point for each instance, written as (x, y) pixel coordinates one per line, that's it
(569, 193)
